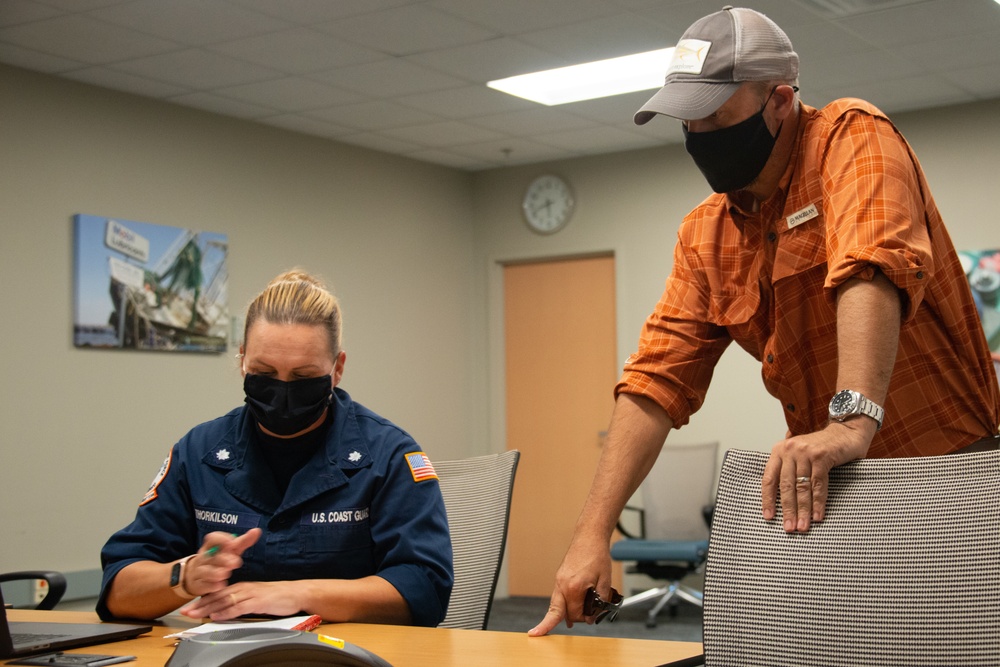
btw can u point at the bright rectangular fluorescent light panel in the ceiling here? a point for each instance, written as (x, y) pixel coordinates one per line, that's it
(587, 81)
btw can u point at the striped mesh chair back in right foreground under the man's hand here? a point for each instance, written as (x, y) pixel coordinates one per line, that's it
(904, 569)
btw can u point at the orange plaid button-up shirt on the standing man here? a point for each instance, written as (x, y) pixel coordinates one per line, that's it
(853, 199)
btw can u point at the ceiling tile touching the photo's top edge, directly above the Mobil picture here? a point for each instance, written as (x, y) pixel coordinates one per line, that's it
(191, 22)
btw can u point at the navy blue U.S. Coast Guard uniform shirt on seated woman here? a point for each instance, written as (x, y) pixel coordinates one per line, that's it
(366, 503)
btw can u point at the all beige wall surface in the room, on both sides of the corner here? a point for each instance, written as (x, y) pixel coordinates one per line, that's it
(411, 249)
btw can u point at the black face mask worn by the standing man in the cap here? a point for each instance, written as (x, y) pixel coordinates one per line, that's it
(732, 157)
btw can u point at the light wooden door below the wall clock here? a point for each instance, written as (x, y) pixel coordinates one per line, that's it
(559, 322)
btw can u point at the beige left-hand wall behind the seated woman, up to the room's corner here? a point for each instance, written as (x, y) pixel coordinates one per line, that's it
(84, 431)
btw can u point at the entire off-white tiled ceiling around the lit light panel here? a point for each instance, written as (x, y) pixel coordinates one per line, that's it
(256, 56)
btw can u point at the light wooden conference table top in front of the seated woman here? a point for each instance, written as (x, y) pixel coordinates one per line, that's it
(416, 647)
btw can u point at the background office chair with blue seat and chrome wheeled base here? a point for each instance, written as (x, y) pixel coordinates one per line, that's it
(672, 540)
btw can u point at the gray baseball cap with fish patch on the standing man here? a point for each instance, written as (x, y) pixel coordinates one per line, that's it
(714, 56)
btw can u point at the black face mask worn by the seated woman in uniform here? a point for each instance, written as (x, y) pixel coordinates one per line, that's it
(285, 408)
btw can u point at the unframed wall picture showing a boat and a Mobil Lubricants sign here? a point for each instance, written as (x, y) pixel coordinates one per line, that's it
(142, 286)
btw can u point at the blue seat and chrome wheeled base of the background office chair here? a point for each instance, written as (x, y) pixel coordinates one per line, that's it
(664, 560)
